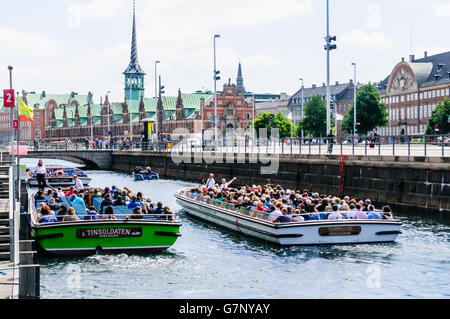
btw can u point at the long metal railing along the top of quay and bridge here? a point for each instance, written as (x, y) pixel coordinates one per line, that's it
(391, 145)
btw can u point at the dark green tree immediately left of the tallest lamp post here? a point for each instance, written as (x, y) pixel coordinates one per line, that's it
(315, 121)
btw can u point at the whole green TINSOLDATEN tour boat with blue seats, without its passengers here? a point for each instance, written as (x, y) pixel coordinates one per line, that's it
(88, 236)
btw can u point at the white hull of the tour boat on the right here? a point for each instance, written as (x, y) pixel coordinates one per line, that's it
(294, 234)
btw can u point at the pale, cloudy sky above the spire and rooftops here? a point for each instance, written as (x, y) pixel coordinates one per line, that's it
(83, 45)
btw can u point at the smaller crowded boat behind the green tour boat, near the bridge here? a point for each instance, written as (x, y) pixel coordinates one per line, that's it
(61, 176)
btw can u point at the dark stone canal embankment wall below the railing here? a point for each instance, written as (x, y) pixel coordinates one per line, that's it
(410, 184)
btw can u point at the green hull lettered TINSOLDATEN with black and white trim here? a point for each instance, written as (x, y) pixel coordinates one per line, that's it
(111, 237)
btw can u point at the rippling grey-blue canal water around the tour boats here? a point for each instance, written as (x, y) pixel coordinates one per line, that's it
(208, 262)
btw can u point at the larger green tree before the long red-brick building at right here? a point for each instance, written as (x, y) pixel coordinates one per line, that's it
(370, 112)
